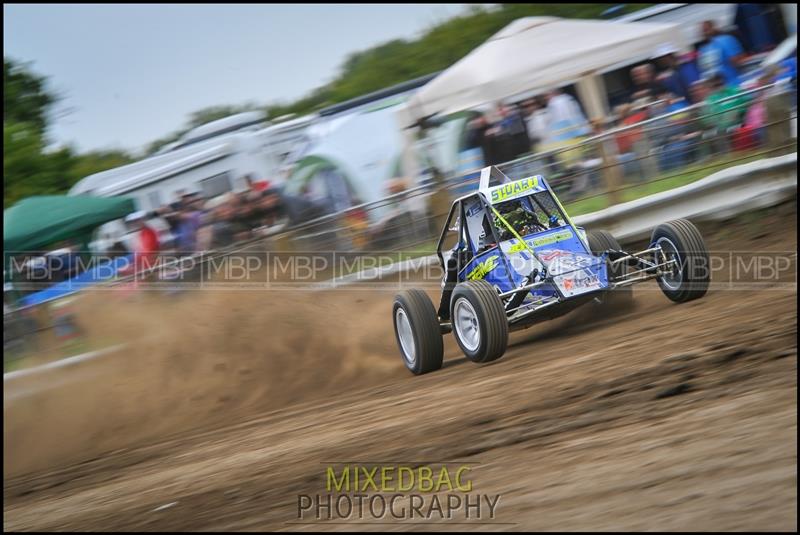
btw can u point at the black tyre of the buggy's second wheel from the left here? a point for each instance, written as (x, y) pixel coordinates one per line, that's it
(490, 318)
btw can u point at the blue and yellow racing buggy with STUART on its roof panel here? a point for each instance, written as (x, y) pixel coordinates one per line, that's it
(517, 259)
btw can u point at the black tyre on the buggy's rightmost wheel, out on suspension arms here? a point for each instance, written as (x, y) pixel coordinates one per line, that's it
(681, 238)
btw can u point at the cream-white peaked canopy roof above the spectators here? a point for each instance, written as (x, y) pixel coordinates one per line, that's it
(537, 53)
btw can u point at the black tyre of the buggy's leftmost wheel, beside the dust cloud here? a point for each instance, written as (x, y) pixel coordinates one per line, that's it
(428, 347)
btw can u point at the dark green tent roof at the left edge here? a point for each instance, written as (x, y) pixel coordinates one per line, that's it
(42, 220)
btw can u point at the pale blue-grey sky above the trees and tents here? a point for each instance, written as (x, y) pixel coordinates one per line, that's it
(129, 74)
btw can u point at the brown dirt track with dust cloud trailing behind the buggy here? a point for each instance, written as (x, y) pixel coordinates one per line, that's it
(668, 417)
